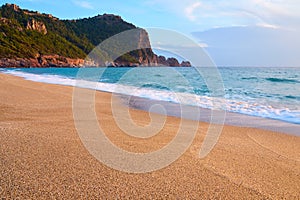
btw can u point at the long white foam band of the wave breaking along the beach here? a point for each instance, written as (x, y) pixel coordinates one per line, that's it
(242, 107)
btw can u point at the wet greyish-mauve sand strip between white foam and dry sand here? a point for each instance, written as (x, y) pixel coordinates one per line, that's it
(231, 118)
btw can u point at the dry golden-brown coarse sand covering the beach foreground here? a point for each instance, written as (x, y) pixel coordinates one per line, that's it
(42, 156)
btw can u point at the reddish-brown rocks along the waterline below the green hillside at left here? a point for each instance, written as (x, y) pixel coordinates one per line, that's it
(41, 61)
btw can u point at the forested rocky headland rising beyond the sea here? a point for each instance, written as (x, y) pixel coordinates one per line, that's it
(32, 39)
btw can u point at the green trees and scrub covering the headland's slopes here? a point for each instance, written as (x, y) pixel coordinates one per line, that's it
(68, 38)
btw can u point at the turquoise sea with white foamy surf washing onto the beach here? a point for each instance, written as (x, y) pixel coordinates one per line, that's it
(264, 97)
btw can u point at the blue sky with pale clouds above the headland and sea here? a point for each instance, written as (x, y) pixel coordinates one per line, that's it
(222, 27)
